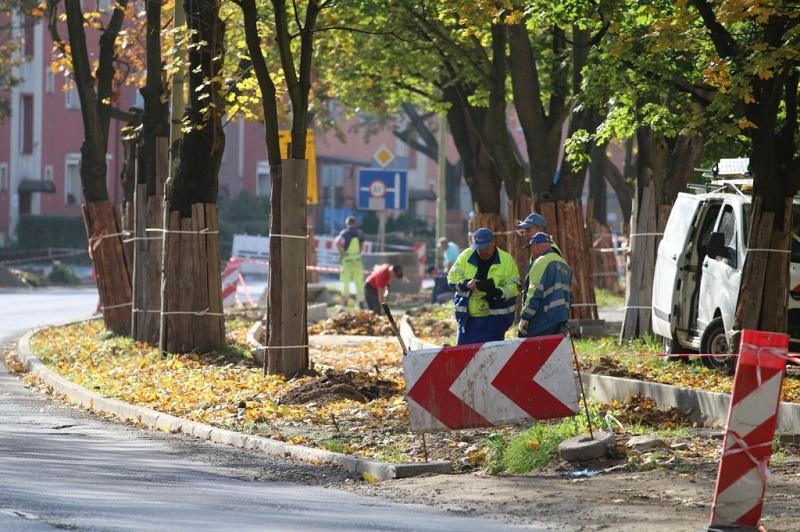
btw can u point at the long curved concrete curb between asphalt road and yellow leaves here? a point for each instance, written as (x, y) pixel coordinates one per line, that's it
(168, 423)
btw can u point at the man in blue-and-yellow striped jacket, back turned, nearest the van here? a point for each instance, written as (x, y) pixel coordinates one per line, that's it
(548, 293)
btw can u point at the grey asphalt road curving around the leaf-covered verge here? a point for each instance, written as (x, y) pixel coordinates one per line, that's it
(63, 468)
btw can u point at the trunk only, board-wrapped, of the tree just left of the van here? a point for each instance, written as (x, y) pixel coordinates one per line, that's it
(664, 167)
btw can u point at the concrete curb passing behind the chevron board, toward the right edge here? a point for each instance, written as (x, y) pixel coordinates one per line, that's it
(712, 406)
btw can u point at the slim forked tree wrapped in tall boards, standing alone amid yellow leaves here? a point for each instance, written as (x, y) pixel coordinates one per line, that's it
(287, 334)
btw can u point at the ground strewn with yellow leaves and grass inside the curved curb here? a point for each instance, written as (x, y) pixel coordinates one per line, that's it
(354, 405)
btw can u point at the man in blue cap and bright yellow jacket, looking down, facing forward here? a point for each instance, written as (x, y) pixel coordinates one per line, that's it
(486, 283)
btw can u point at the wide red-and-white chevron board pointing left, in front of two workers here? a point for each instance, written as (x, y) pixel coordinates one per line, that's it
(481, 385)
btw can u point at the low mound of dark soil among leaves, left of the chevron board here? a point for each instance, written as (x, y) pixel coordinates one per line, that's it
(336, 386)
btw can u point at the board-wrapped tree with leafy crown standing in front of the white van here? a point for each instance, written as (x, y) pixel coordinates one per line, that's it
(753, 65)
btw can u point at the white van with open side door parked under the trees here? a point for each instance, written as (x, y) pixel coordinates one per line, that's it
(699, 269)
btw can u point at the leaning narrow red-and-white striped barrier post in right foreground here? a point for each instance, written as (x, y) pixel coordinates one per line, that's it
(752, 418)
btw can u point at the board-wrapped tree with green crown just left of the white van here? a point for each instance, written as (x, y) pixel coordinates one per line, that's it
(644, 89)
